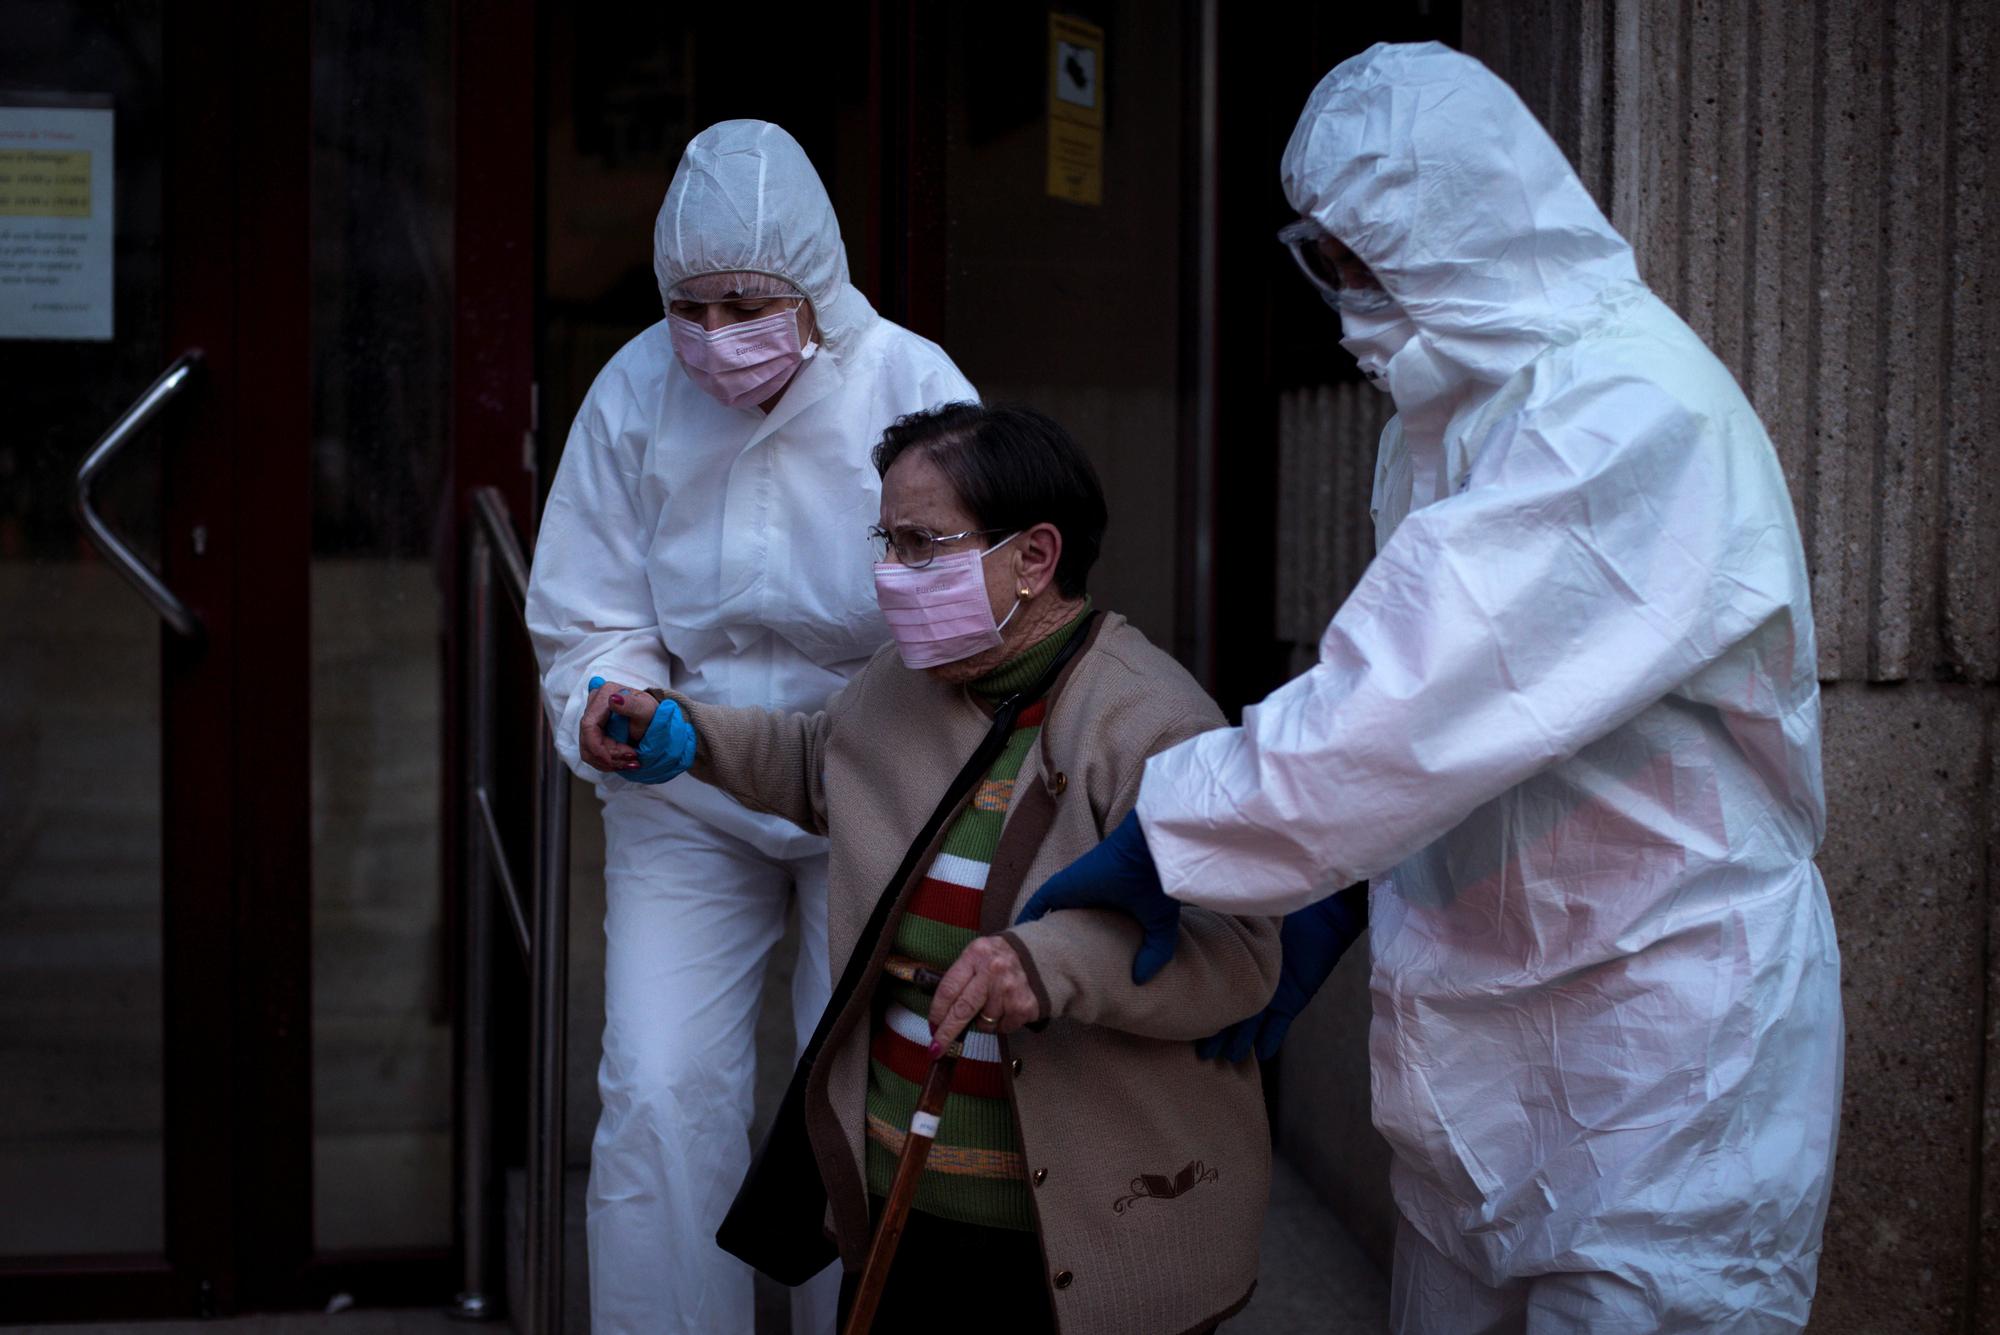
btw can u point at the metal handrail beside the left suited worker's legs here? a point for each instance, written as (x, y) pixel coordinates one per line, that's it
(541, 932)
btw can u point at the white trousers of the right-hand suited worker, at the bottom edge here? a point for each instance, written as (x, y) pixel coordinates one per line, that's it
(1431, 1294)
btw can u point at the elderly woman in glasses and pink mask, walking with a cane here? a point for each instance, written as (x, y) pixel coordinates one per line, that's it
(1091, 1172)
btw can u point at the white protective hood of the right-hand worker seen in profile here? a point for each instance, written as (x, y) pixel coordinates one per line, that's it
(1435, 175)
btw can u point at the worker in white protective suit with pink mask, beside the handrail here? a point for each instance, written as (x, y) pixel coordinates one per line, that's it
(709, 533)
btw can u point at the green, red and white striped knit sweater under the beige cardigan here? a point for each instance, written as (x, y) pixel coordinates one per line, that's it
(975, 1170)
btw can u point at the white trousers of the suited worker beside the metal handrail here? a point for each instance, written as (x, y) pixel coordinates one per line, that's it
(693, 912)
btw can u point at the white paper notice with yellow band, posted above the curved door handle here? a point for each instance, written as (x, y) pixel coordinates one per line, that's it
(57, 221)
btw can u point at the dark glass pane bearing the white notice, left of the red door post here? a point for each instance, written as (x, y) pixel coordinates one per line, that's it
(81, 339)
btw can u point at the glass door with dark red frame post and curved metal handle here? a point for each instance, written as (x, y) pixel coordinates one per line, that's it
(155, 1094)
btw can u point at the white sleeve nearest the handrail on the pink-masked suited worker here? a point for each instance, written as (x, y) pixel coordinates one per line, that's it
(589, 599)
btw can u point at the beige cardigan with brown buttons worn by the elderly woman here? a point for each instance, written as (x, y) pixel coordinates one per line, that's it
(1151, 1168)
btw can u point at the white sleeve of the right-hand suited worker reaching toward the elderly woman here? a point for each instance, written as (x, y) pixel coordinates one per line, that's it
(1611, 547)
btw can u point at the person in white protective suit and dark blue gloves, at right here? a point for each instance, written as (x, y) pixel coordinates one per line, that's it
(1569, 728)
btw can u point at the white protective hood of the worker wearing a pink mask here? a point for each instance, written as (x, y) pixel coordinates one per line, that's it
(745, 199)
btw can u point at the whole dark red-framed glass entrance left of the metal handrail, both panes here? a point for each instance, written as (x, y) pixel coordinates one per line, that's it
(225, 1026)
